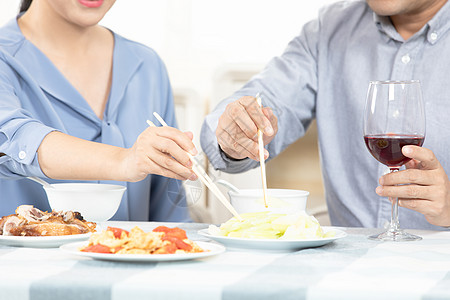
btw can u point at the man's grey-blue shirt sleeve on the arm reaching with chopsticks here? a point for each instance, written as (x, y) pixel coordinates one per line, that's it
(288, 84)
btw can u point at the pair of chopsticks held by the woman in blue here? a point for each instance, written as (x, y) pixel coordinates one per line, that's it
(202, 175)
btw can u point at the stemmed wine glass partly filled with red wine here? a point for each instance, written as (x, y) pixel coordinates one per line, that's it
(394, 117)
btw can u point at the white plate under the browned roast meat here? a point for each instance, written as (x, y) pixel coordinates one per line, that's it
(41, 241)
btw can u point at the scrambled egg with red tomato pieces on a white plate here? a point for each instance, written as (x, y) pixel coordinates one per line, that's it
(162, 240)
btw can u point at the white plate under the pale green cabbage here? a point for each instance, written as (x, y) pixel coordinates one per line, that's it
(274, 244)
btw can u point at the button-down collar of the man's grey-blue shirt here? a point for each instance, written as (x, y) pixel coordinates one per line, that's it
(433, 30)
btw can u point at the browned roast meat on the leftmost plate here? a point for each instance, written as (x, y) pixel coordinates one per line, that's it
(30, 221)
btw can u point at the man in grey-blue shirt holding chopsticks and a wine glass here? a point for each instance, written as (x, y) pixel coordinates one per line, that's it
(324, 74)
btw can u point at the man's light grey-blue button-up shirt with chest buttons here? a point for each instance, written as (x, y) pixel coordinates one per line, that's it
(324, 74)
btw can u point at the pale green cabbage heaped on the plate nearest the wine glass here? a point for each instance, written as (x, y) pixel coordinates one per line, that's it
(266, 225)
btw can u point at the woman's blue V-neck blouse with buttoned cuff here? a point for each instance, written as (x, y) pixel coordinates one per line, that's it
(35, 99)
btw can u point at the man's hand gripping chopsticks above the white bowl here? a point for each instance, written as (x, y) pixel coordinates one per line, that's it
(237, 131)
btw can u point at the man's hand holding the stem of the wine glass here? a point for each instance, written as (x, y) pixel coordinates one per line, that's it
(423, 186)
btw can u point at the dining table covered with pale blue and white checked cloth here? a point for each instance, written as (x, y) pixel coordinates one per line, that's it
(352, 267)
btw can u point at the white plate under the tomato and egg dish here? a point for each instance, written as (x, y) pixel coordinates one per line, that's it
(211, 249)
